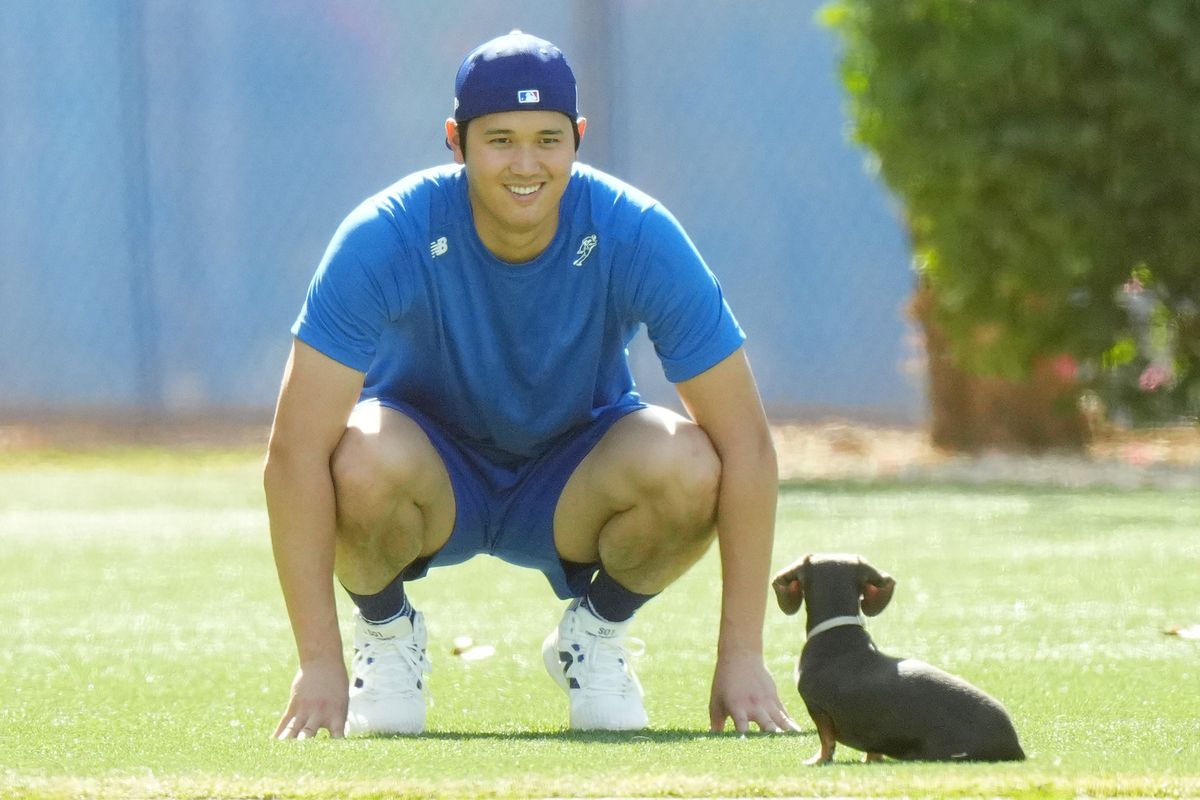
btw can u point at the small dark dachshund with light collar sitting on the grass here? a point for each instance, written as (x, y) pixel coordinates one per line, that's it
(866, 700)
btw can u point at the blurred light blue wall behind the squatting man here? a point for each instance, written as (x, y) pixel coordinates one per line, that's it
(171, 173)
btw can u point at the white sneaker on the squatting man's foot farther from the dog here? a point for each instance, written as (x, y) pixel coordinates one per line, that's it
(388, 677)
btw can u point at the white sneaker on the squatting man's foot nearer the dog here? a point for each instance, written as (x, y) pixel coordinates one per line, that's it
(587, 657)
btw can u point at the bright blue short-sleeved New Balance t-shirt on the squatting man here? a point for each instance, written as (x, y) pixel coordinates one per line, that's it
(508, 358)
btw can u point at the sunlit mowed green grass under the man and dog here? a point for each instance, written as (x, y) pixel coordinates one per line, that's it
(145, 651)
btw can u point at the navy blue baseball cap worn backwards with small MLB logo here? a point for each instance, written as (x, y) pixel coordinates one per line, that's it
(515, 73)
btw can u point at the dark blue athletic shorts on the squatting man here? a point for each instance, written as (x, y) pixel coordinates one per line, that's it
(509, 513)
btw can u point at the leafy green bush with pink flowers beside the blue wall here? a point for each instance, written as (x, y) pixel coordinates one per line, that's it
(1048, 158)
